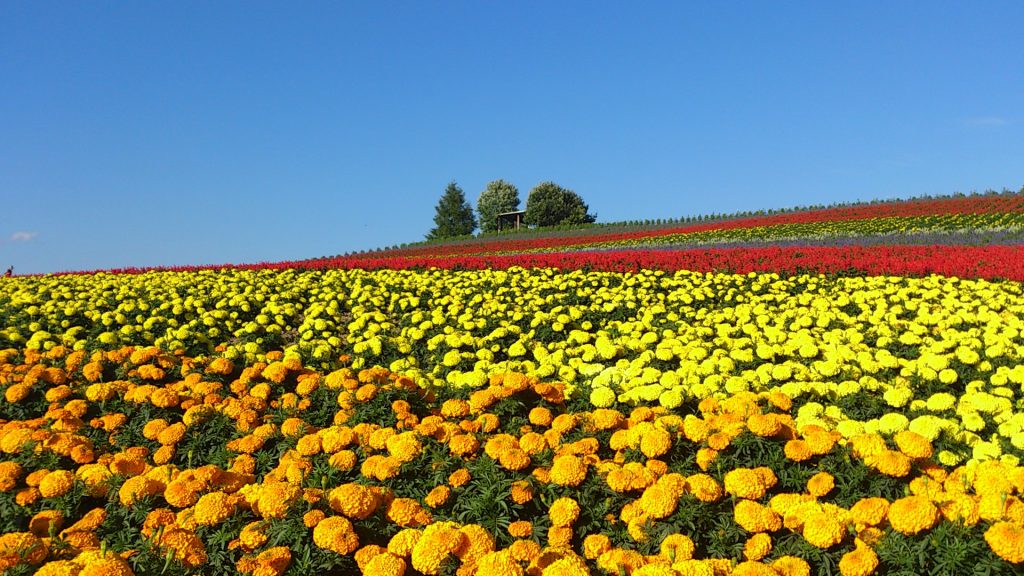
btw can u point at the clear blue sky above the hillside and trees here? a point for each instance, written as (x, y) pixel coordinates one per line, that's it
(164, 134)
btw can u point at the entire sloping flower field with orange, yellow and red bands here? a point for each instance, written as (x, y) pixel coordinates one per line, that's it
(551, 406)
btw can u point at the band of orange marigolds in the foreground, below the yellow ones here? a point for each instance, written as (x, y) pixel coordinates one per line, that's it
(140, 462)
